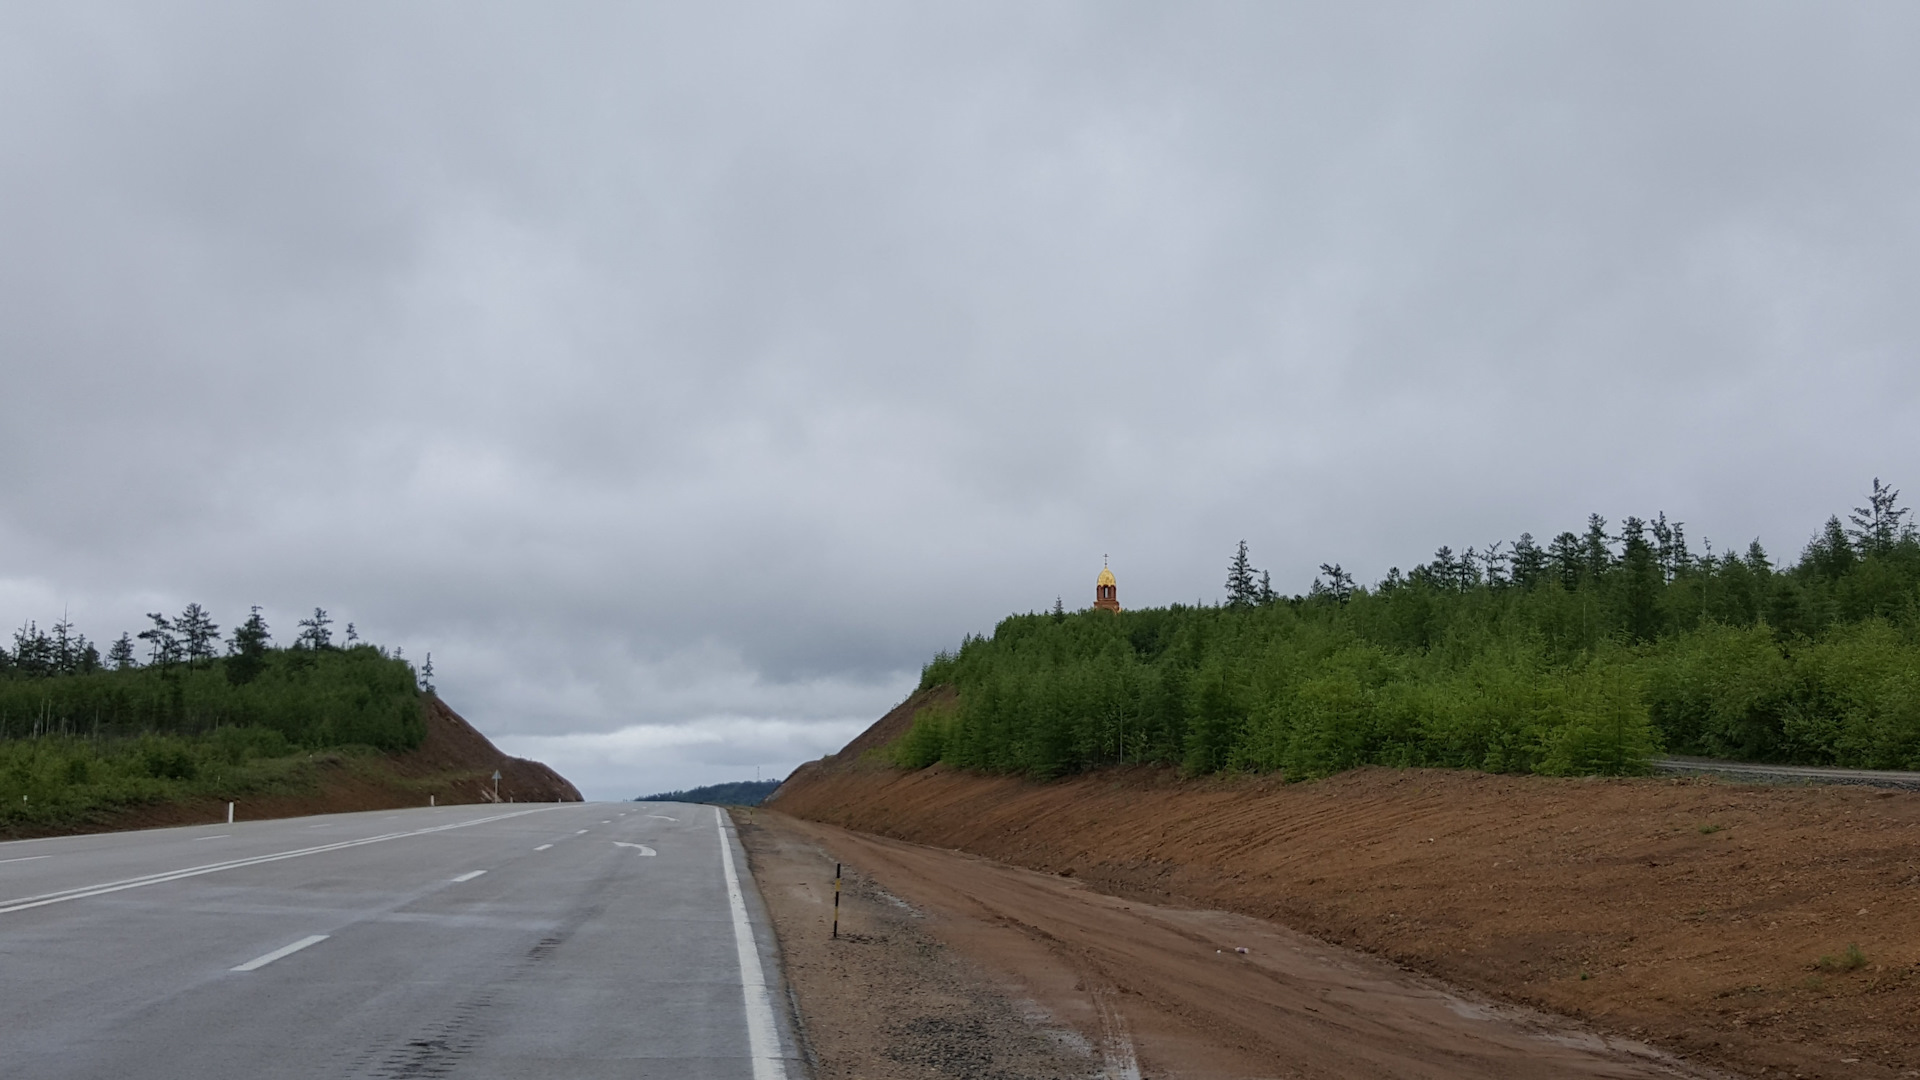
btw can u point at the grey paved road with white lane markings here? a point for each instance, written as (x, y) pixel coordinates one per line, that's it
(575, 941)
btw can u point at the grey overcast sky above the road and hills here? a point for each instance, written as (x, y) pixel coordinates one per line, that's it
(686, 376)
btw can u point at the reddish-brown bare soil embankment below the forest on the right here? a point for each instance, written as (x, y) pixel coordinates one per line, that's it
(1687, 914)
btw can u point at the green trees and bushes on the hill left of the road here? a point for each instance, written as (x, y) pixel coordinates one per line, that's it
(199, 718)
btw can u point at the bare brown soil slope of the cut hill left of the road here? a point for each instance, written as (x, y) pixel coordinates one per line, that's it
(452, 766)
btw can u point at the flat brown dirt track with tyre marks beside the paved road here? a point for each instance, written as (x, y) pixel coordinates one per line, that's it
(1170, 989)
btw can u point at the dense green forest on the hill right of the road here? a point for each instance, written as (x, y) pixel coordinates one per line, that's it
(1587, 654)
